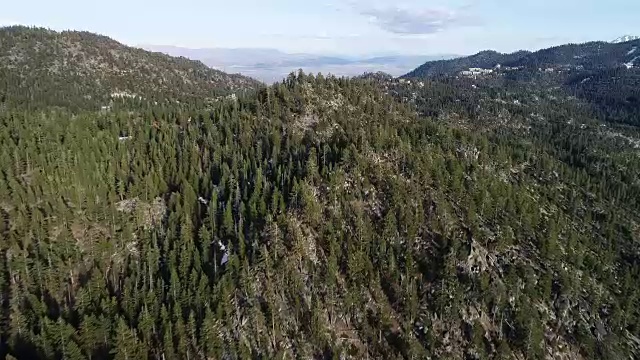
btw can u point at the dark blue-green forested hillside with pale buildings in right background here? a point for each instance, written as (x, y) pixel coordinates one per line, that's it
(603, 75)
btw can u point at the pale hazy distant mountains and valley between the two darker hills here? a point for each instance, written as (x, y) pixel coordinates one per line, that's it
(270, 65)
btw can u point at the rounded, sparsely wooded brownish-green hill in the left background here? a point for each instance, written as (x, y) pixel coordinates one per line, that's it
(81, 69)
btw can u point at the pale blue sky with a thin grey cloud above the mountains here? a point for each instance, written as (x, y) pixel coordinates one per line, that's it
(354, 27)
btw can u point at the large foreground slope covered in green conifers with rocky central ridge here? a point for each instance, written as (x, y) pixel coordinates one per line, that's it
(319, 219)
